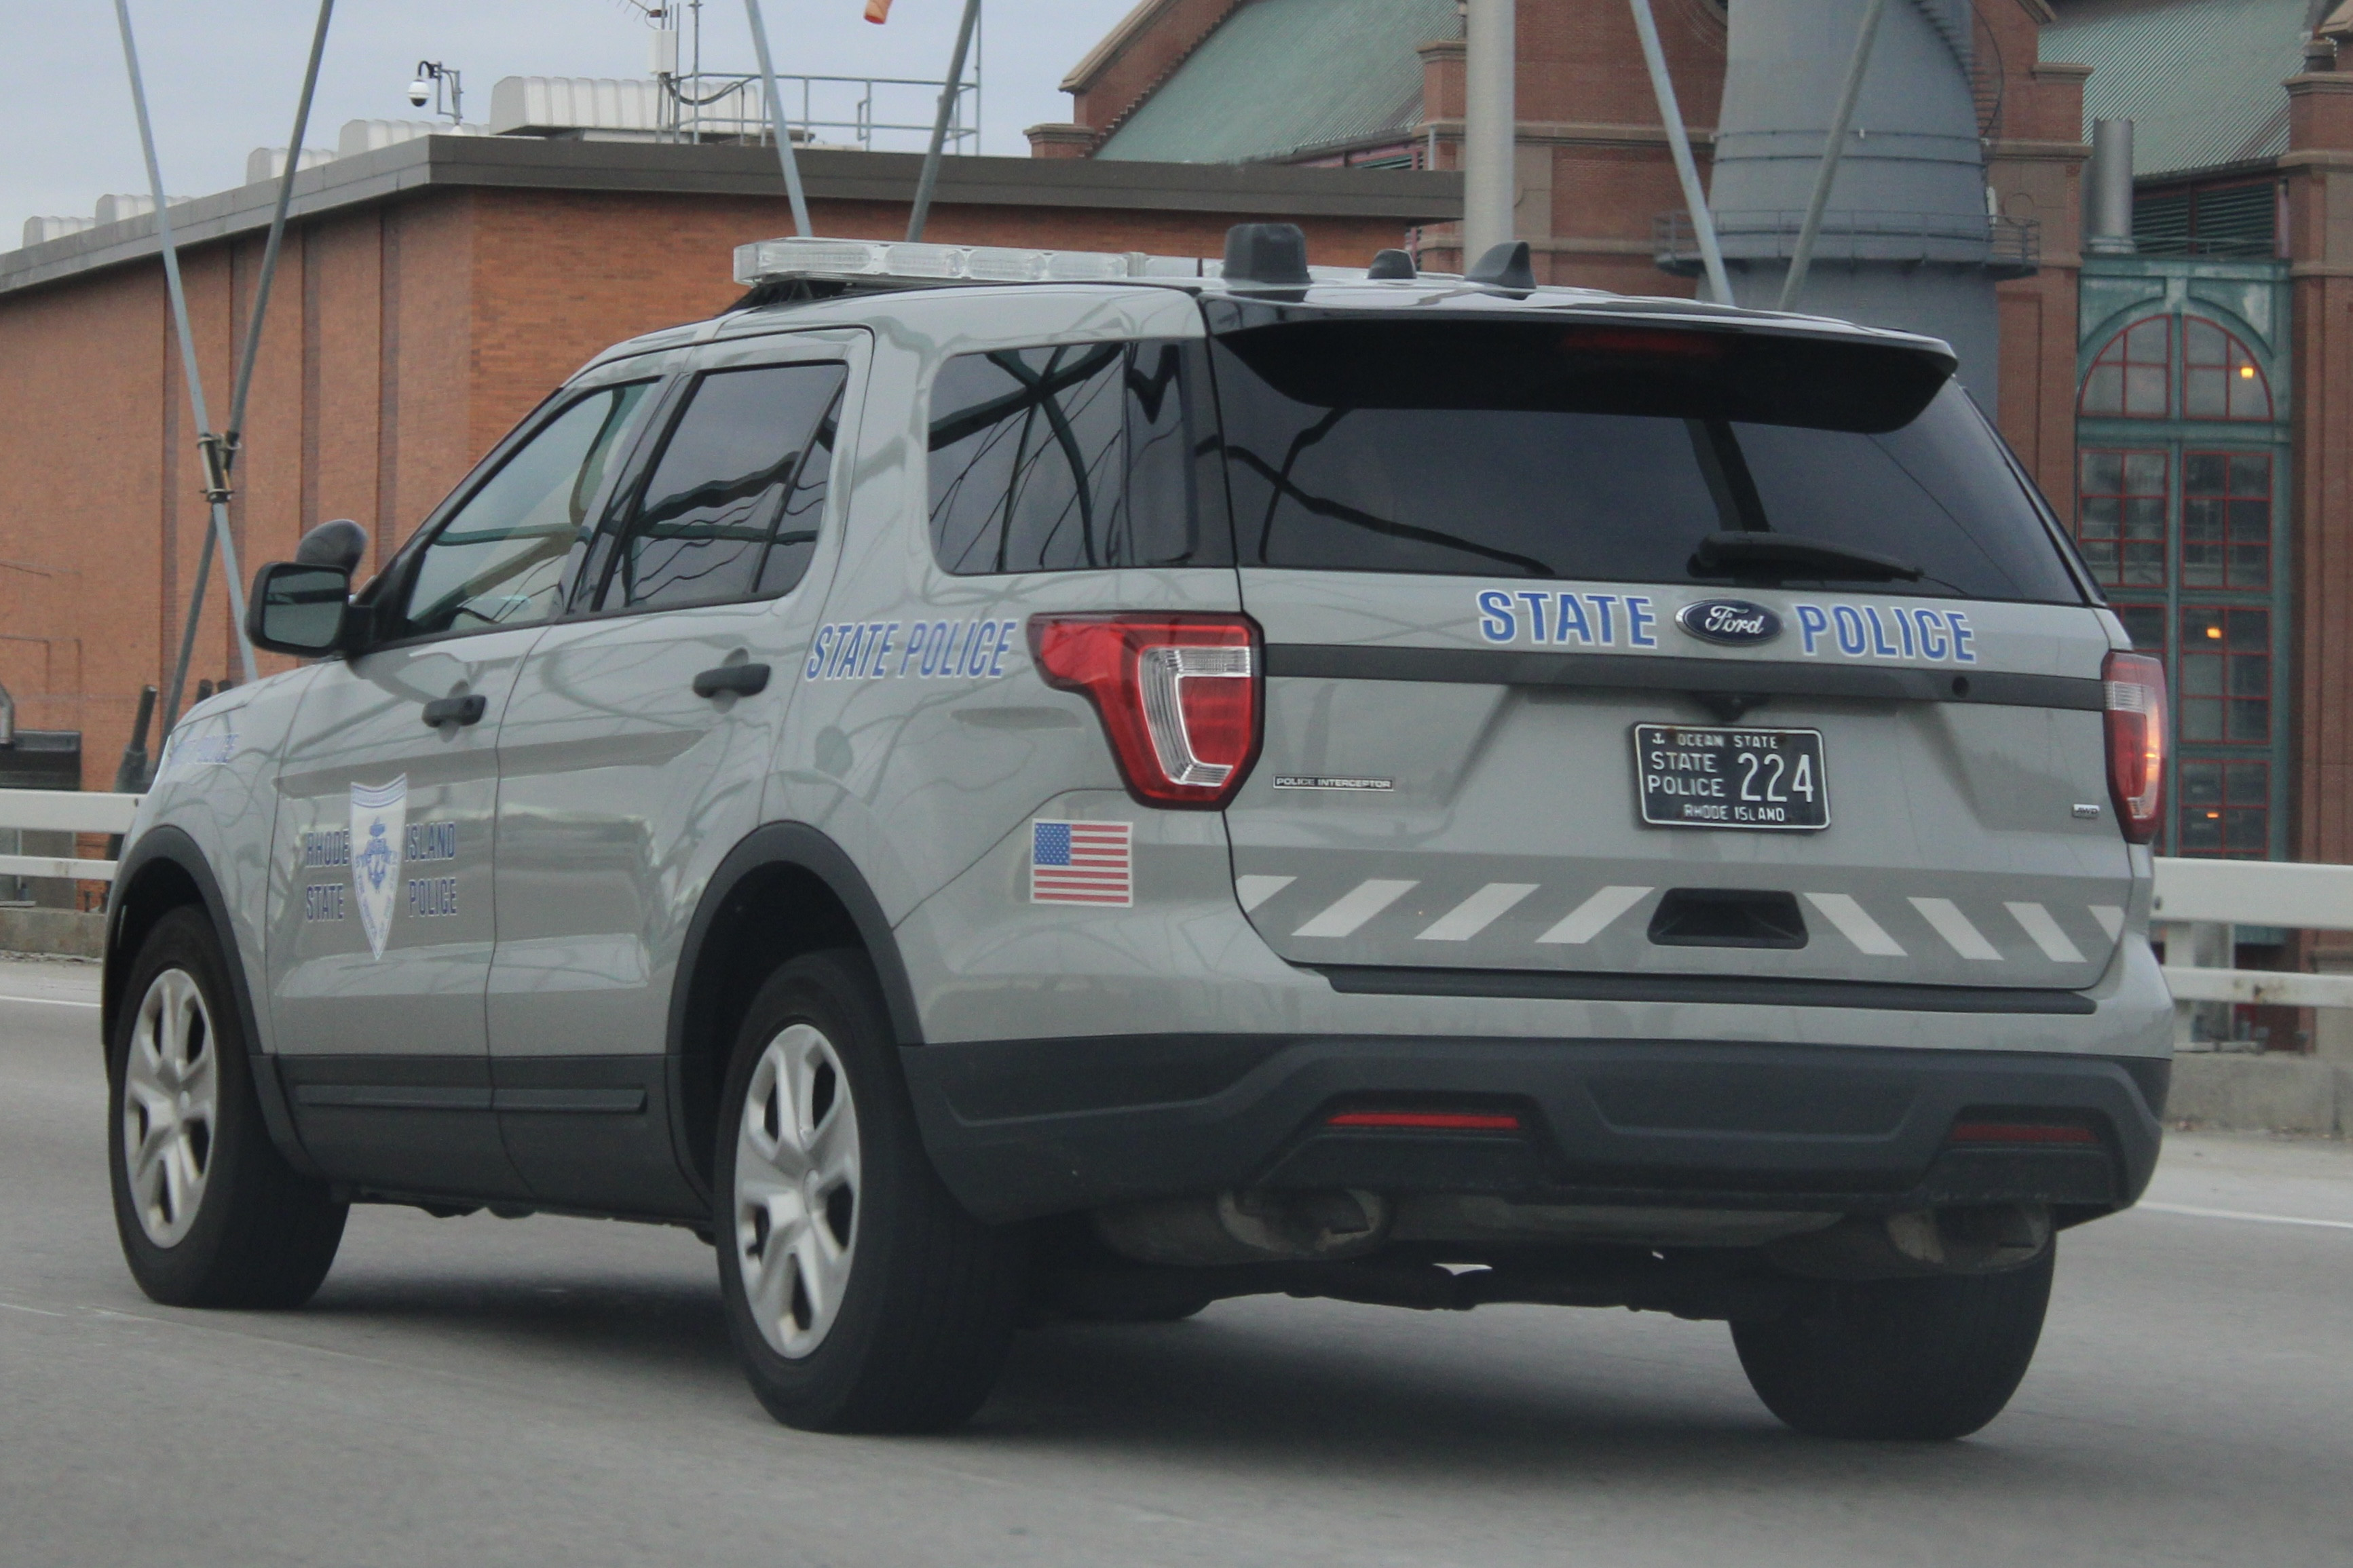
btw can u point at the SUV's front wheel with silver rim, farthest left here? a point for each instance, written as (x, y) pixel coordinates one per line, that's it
(208, 1209)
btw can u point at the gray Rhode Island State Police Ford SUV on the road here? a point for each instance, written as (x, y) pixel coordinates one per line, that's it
(1013, 784)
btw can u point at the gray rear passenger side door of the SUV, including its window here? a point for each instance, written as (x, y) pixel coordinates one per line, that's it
(636, 749)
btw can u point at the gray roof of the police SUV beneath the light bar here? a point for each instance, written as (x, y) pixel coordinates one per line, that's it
(867, 297)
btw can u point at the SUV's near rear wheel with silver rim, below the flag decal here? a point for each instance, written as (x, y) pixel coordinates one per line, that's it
(860, 1294)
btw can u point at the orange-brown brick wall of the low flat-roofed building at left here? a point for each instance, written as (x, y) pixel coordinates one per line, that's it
(404, 342)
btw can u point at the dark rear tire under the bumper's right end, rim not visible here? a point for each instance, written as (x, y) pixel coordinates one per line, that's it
(1900, 1358)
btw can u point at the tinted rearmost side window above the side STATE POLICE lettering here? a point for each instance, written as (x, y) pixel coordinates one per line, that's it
(1062, 460)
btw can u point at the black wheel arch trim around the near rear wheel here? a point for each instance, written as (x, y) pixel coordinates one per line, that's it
(782, 892)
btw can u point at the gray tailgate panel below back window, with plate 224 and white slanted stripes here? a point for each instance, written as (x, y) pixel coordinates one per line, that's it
(1429, 798)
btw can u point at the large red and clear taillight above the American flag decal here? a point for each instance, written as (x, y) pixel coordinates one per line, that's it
(1178, 695)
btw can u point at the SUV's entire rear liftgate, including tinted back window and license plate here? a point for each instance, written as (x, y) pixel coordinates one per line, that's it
(1578, 664)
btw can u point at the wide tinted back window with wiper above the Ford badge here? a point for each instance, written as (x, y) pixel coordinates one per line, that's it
(1575, 453)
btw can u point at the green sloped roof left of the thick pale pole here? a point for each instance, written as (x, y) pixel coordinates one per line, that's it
(1281, 76)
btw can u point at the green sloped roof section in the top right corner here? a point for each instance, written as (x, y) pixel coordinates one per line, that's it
(2199, 79)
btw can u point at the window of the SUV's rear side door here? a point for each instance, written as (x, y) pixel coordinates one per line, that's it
(731, 507)
